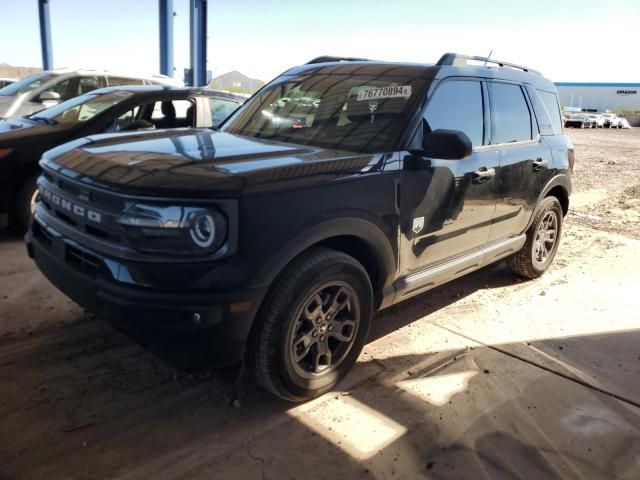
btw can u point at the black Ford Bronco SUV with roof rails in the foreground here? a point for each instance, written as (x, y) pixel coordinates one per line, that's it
(342, 187)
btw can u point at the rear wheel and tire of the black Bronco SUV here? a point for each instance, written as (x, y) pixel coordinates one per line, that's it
(535, 258)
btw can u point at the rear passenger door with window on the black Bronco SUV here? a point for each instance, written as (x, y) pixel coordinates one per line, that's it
(524, 158)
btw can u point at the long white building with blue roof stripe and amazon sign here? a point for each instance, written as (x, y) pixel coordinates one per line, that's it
(600, 96)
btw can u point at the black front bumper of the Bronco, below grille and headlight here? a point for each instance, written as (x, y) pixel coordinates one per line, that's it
(190, 330)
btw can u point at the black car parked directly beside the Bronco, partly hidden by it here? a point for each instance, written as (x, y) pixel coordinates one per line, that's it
(114, 109)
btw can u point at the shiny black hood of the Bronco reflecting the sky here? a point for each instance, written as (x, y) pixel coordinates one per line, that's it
(199, 162)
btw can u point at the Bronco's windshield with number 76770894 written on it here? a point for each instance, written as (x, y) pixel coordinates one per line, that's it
(361, 113)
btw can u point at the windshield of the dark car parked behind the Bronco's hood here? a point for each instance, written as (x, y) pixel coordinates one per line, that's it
(82, 108)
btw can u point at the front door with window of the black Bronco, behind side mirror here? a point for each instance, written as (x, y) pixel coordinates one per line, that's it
(447, 205)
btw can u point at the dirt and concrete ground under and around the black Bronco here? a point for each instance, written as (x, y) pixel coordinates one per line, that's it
(487, 377)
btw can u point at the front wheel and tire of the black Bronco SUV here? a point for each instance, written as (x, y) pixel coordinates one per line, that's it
(287, 346)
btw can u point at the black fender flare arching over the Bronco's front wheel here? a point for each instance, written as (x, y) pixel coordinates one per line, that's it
(364, 230)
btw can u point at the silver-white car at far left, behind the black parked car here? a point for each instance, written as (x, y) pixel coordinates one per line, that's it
(50, 87)
